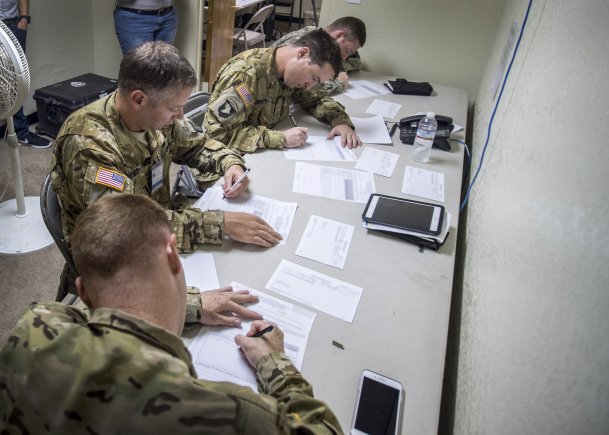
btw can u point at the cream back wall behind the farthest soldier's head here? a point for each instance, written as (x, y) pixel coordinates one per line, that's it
(439, 41)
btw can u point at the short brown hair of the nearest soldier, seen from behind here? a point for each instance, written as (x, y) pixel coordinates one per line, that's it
(118, 232)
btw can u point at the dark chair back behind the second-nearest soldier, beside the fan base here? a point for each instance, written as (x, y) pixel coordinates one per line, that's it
(51, 215)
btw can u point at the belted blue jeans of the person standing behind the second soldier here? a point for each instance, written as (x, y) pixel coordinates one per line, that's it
(133, 29)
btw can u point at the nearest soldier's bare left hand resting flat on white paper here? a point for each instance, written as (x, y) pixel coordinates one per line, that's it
(222, 306)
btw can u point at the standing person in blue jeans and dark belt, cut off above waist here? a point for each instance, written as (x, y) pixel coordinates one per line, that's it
(139, 21)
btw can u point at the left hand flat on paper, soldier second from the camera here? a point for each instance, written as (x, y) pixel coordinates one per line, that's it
(248, 228)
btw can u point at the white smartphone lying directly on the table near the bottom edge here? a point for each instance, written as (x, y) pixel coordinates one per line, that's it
(378, 406)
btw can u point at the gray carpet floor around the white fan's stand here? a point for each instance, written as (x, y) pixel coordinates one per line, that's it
(29, 277)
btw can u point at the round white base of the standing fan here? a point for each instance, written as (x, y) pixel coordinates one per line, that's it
(19, 235)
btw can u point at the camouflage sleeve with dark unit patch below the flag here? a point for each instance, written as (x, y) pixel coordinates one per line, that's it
(230, 105)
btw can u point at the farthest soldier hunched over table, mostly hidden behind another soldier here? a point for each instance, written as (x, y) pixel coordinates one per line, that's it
(350, 34)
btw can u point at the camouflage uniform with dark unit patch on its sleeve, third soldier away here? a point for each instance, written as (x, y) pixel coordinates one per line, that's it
(248, 99)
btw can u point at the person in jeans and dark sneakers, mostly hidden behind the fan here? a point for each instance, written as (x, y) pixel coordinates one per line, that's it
(15, 15)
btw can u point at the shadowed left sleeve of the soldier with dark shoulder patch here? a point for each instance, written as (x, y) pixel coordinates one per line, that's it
(322, 107)
